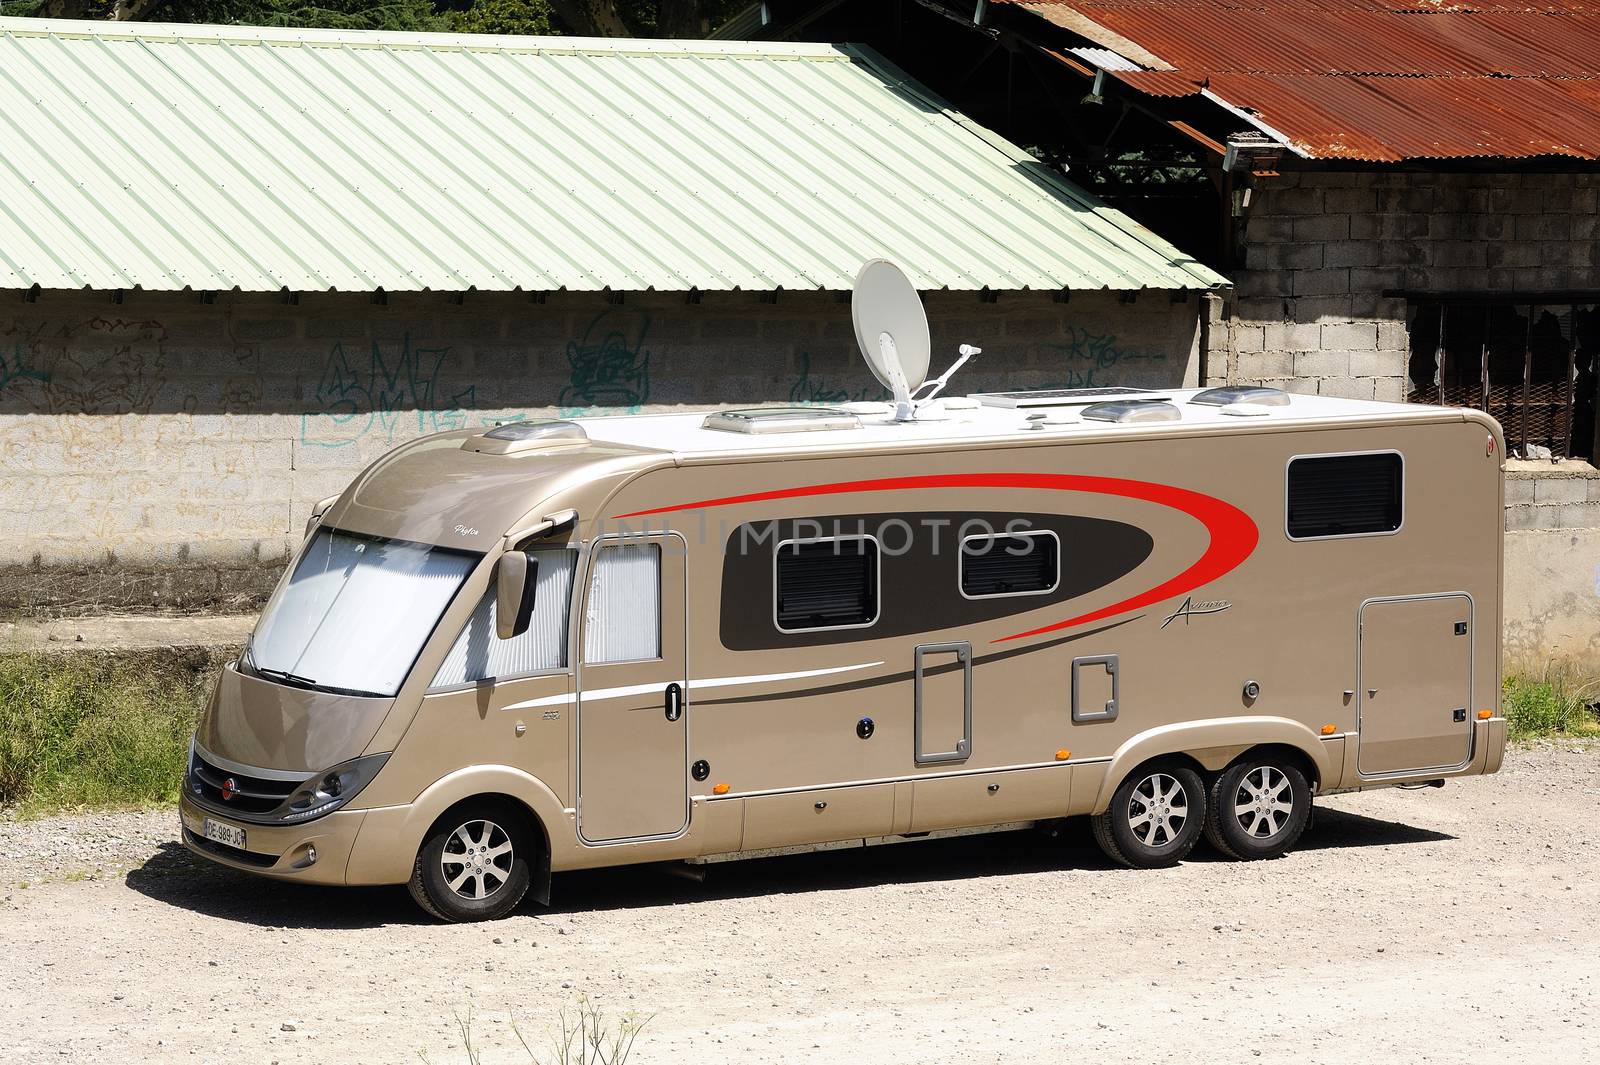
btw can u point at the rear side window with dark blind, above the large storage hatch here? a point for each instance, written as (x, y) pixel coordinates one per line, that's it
(1345, 495)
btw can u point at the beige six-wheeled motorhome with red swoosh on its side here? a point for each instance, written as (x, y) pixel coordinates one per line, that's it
(562, 645)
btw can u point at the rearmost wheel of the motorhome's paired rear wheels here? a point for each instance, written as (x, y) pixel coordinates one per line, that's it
(1260, 808)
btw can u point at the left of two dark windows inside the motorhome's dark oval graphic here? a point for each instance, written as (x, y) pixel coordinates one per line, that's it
(826, 584)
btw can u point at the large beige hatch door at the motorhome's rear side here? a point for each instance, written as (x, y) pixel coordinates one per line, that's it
(1415, 684)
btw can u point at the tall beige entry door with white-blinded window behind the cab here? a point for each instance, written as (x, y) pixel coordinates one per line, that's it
(633, 701)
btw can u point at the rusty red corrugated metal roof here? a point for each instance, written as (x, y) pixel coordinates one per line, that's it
(1378, 81)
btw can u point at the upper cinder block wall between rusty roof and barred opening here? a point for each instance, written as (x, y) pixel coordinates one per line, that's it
(1310, 311)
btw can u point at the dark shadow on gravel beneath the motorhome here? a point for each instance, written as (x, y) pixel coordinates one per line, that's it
(180, 879)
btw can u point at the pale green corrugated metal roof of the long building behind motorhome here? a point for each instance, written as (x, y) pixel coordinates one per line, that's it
(177, 158)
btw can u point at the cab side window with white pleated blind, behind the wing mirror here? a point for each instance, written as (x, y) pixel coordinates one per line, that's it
(479, 655)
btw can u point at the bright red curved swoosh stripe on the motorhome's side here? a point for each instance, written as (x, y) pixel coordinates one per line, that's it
(1234, 536)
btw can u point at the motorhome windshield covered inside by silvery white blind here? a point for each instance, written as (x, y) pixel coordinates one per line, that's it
(356, 612)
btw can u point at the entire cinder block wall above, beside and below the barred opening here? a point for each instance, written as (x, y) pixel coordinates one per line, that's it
(1310, 314)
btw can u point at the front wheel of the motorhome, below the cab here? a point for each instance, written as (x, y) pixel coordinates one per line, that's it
(474, 866)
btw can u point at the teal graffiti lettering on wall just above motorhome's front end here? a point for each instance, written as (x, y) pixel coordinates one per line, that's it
(386, 393)
